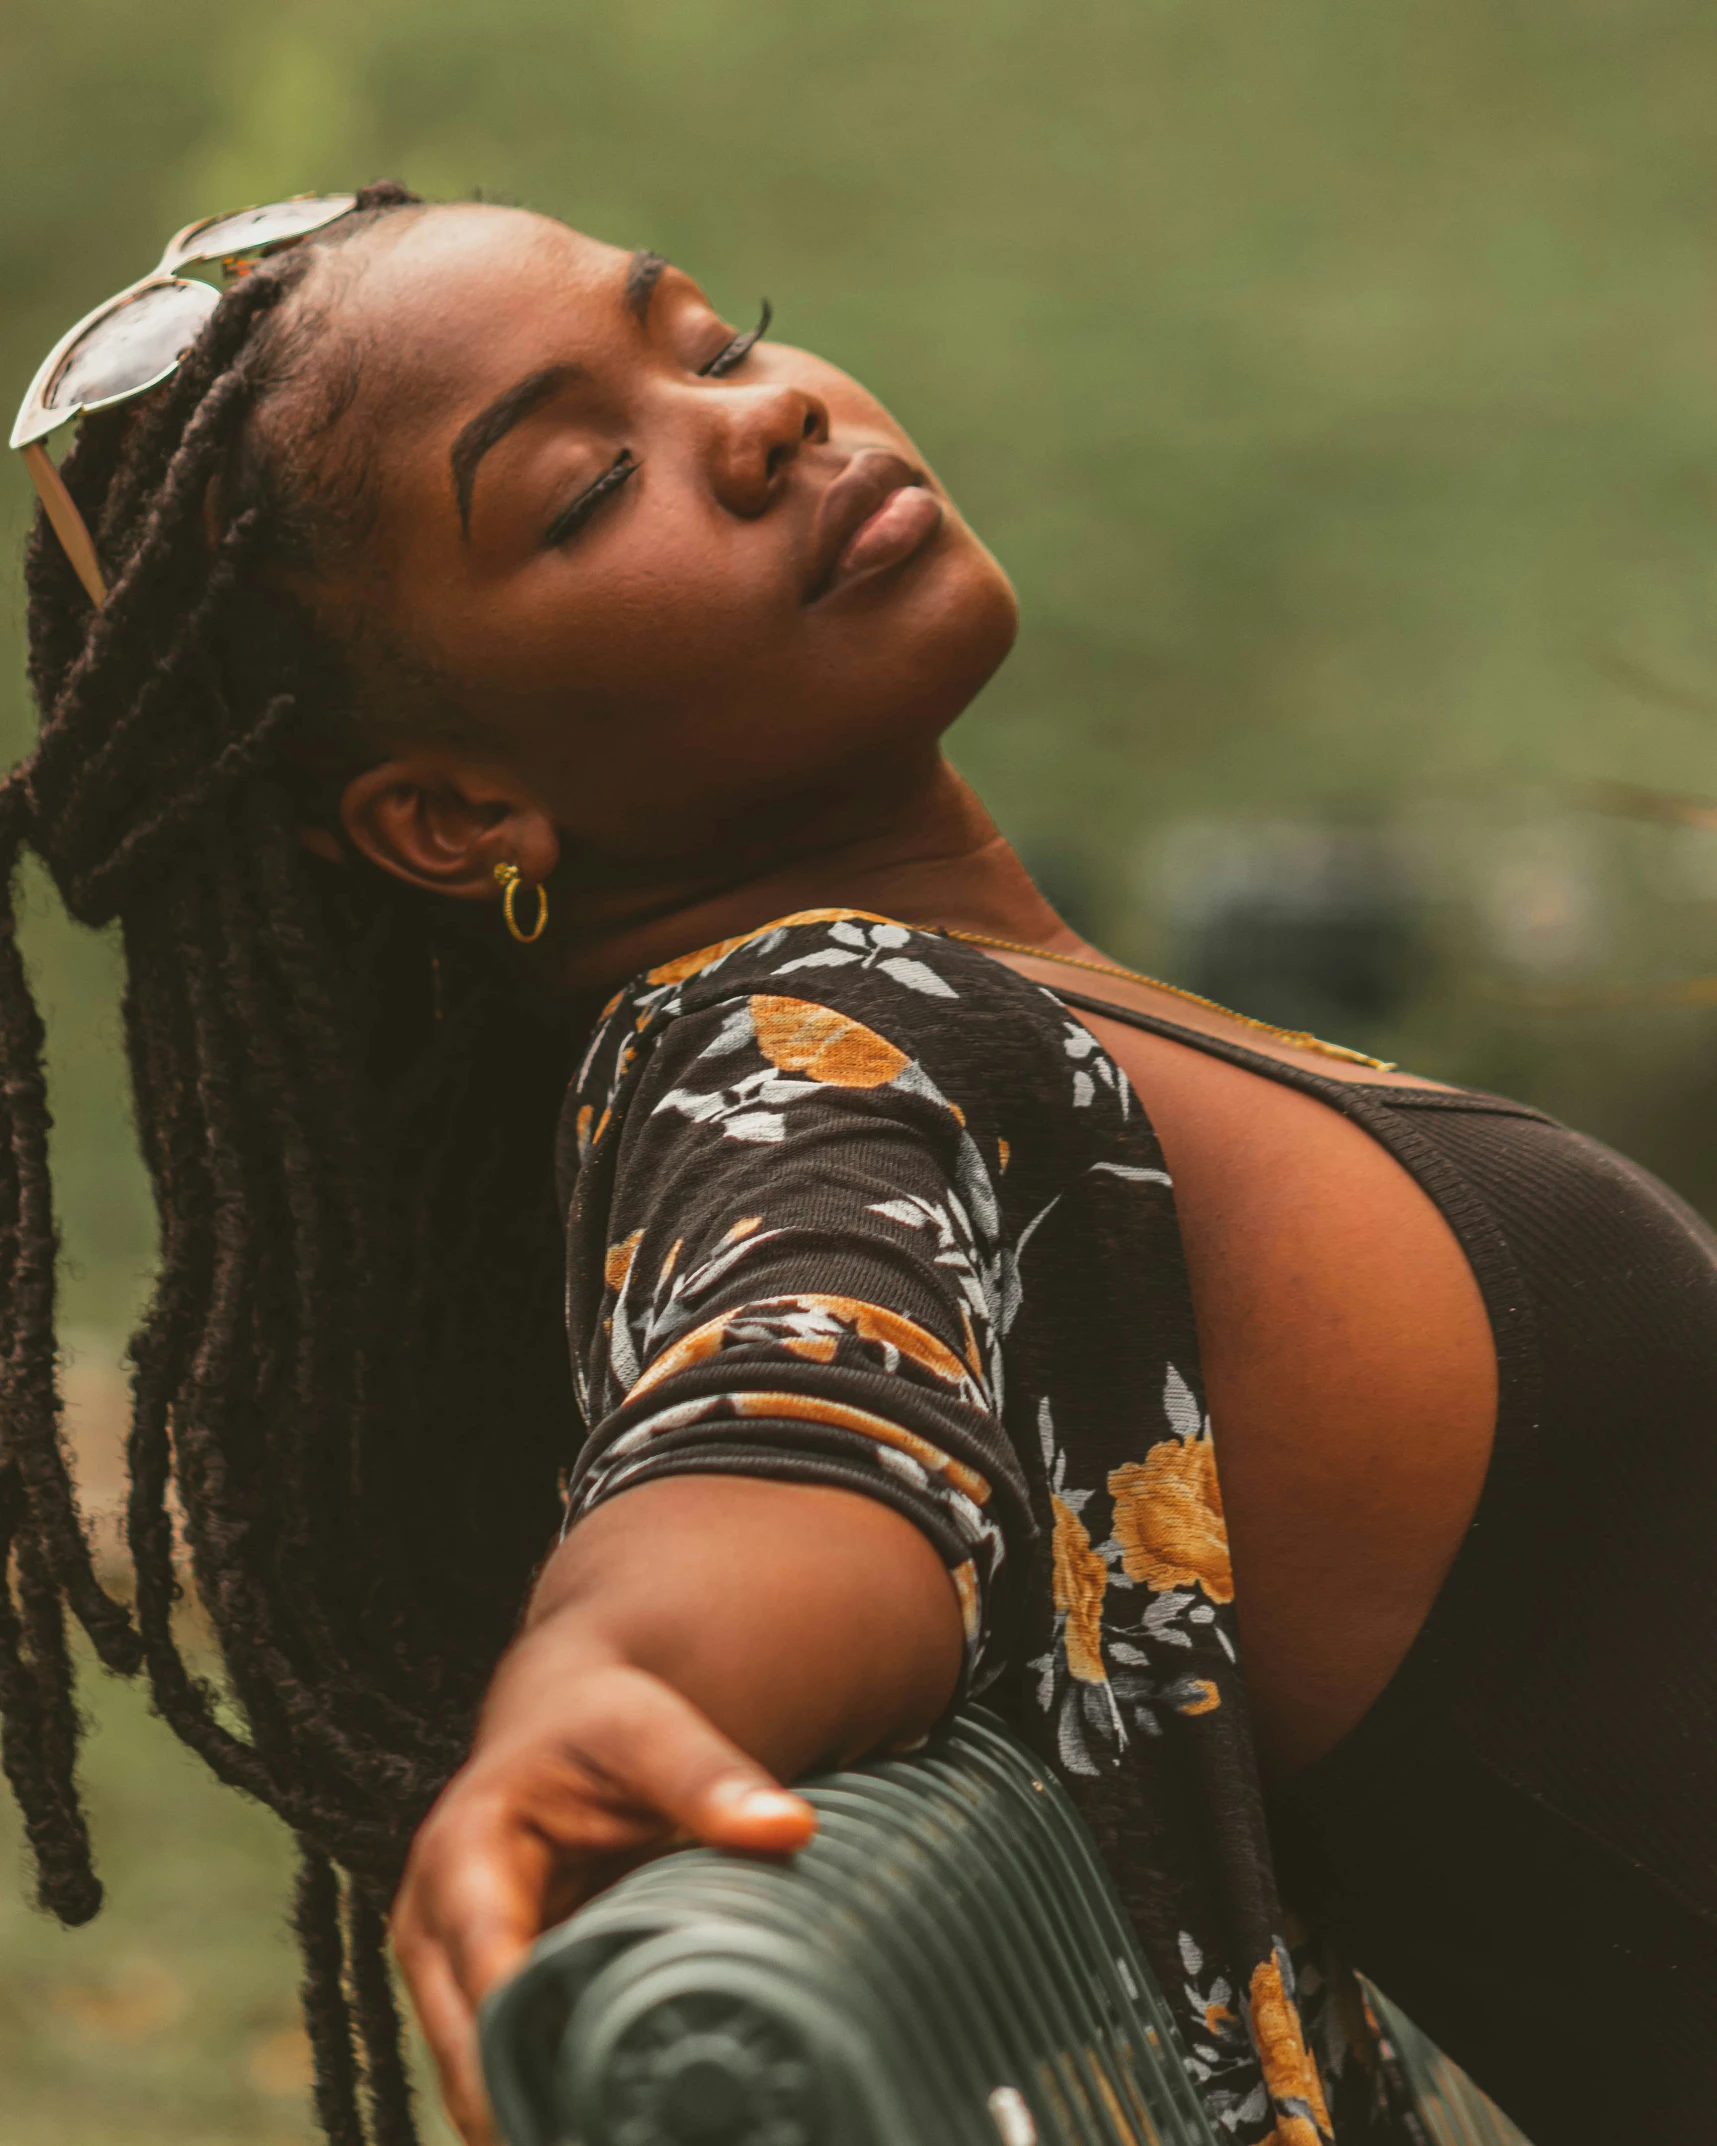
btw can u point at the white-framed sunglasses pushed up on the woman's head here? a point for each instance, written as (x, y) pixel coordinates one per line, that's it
(138, 340)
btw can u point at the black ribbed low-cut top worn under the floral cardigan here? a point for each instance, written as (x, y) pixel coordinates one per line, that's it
(1518, 1842)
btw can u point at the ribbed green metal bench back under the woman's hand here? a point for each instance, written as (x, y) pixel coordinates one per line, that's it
(945, 1965)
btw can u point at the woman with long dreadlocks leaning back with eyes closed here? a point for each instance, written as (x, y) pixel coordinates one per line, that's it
(510, 677)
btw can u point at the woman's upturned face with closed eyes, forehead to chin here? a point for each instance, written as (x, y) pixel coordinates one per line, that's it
(679, 583)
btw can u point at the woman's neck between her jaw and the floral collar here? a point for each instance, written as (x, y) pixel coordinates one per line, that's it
(926, 855)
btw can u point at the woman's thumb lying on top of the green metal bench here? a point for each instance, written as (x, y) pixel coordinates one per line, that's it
(666, 1757)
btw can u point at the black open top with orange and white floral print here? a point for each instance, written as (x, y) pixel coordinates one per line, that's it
(855, 1205)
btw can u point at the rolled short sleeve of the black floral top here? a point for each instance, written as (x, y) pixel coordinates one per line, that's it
(782, 1263)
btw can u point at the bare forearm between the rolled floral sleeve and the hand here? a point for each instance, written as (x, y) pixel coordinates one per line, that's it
(806, 1623)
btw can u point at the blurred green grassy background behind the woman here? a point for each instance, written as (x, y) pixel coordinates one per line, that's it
(1334, 379)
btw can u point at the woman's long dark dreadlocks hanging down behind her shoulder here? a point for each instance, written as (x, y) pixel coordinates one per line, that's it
(349, 1379)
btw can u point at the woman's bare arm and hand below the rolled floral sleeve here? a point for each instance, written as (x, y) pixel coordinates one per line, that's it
(679, 1630)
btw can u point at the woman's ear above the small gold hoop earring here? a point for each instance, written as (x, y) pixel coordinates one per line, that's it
(443, 823)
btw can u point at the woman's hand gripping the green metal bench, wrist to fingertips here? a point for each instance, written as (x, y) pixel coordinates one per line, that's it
(578, 1776)
